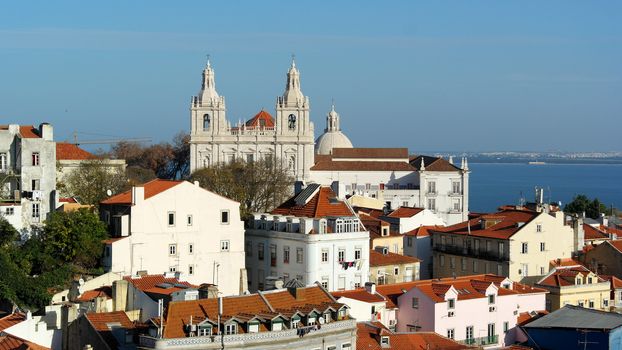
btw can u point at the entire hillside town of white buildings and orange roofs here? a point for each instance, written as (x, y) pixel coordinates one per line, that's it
(364, 248)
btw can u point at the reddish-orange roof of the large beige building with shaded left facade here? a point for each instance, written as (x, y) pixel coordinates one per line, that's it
(502, 225)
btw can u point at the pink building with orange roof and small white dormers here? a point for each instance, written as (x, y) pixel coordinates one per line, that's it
(477, 309)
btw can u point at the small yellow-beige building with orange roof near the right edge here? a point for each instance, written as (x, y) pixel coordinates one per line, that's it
(575, 285)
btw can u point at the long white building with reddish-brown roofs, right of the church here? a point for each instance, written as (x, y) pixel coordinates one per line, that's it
(391, 175)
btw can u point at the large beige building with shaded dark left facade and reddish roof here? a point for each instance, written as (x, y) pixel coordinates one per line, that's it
(515, 242)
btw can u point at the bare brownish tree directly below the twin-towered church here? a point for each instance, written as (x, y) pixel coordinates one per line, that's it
(259, 186)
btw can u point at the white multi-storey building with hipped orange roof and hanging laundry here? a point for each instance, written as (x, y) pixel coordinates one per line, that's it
(311, 237)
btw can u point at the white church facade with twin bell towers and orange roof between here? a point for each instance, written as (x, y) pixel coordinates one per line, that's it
(289, 136)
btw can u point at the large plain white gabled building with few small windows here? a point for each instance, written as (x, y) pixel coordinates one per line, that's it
(176, 226)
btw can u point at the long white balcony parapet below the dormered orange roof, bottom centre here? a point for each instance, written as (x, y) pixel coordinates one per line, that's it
(287, 336)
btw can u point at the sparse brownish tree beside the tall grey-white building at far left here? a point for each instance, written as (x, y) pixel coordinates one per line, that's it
(92, 179)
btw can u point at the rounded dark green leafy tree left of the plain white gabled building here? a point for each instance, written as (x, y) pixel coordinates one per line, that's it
(75, 237)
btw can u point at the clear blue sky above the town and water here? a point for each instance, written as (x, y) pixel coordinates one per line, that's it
(433, 75)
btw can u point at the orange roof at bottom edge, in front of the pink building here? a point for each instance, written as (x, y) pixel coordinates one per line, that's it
(368, 338)
